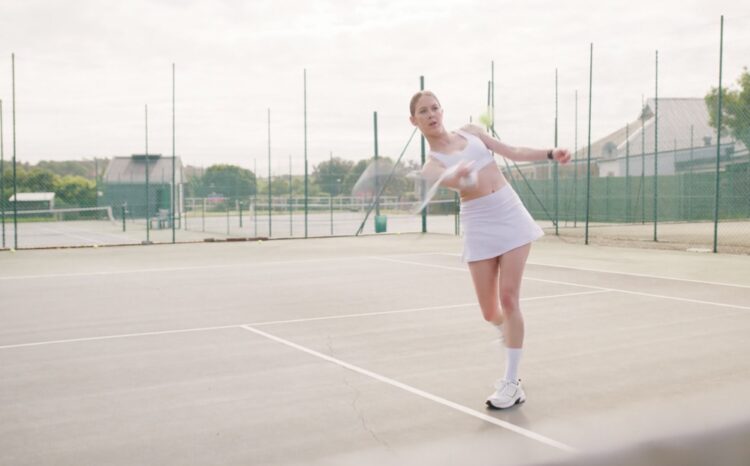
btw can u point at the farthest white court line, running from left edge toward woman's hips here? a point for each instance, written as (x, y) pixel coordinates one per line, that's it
(199, 267)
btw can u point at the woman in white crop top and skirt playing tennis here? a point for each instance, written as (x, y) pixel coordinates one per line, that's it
(498, 230)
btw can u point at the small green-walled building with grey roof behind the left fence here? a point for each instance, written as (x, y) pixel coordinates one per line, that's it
(124, 185)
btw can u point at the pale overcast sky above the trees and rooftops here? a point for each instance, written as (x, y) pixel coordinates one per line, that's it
(86, 69)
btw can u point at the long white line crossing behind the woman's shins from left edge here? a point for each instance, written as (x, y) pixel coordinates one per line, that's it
(274, 322)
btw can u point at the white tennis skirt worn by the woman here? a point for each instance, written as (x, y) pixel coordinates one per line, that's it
(495, 224)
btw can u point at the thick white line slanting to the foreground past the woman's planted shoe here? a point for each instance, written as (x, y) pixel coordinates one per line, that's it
(429, 396)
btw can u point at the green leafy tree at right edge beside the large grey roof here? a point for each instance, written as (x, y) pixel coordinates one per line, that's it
(735, 112)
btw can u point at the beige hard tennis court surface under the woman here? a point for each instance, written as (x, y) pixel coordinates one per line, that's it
(368, 350)
